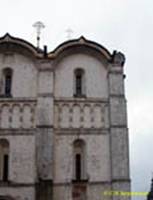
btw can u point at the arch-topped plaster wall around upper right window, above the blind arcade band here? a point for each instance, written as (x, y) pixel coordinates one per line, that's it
(95, 76)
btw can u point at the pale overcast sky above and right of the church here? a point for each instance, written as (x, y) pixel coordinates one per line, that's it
(125, 25)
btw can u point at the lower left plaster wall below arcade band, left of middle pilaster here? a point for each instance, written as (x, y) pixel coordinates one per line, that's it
(22, 167)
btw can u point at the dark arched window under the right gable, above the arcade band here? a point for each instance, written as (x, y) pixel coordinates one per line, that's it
(79, 82)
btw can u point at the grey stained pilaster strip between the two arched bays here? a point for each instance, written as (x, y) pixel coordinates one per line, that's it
(44, 137)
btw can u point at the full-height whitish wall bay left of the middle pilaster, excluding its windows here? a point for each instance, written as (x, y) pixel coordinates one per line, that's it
(17, 125)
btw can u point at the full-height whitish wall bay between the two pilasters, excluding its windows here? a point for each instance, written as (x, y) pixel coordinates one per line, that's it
(82, 118)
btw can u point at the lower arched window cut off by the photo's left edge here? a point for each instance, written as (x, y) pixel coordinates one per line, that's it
(4, 159)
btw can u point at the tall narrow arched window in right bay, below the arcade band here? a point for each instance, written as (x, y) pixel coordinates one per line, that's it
(79, 160)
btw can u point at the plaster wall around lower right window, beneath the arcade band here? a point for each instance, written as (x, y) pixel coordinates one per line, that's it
(97, 156)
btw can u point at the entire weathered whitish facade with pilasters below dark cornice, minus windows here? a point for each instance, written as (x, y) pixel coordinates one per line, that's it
(44, 105)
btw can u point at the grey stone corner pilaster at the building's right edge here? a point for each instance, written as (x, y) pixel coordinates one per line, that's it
(119, 142)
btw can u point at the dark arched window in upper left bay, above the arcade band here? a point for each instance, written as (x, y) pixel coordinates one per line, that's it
(7, 74)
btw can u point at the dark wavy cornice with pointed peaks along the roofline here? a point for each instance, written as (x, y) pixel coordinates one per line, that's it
(116, 59)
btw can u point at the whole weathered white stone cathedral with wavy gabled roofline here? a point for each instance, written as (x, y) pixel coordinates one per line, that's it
(63, 122)
